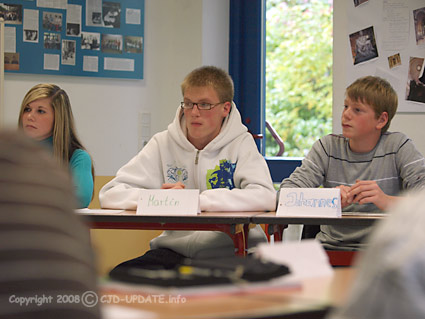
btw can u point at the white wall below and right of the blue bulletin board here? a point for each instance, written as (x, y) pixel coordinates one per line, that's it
(107, 110)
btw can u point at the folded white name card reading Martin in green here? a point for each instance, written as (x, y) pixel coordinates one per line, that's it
(168, 202)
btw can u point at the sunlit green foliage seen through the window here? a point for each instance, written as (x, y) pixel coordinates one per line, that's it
(298, 73)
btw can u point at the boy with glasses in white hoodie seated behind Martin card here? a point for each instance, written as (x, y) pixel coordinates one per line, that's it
(207, 148)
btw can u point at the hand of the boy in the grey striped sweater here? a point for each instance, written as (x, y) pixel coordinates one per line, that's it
(363, 192)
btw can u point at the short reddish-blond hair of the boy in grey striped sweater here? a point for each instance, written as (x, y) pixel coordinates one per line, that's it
(376, 92)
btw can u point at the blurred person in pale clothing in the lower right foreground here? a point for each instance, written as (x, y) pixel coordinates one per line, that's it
(390, 281)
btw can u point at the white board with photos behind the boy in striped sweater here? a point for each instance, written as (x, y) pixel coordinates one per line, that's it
(386, 38)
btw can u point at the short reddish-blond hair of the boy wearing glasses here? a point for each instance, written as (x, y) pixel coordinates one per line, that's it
(212, 76)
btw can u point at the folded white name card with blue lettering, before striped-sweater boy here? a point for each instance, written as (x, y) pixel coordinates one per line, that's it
(309, 202)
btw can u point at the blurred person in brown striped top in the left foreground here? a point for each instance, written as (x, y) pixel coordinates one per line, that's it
(46, 259)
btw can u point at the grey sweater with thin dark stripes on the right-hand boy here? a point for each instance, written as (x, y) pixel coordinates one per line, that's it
(395, 164)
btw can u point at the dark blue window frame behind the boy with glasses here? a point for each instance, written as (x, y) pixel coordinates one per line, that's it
(247, 58)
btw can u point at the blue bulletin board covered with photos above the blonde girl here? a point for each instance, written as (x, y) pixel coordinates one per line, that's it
(95, 38)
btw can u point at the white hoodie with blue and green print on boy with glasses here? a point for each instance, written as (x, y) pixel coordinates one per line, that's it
(231, 158)
